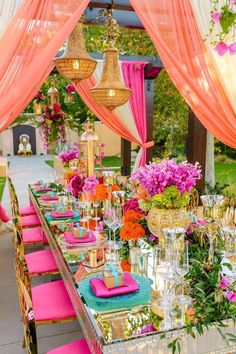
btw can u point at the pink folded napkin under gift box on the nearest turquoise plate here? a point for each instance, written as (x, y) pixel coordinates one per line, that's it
(100, 290)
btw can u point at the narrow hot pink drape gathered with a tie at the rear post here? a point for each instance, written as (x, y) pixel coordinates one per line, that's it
(133, 74)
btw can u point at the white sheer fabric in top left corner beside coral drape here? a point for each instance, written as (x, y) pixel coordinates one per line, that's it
(7, 11)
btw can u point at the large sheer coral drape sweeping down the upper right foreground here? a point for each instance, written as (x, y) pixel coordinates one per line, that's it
(174, 31)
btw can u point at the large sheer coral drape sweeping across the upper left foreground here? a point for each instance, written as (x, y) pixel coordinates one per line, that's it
(27, 50)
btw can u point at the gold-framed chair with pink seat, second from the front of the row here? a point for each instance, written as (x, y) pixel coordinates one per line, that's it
(43, 304)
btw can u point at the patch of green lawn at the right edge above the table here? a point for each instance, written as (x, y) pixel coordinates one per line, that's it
(226, 174)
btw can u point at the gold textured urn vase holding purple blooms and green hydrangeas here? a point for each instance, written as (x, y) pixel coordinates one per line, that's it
(159, 219)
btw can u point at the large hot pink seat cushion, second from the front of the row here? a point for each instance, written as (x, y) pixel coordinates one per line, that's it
(51, 302)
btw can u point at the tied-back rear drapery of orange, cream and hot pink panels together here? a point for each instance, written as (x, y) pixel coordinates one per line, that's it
(129, 120)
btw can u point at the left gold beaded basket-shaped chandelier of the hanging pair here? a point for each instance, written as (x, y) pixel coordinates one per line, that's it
(76, 64)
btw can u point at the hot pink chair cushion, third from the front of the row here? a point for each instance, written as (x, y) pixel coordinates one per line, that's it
(41, 262)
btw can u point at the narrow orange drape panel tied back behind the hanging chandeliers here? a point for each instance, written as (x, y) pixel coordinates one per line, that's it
(111, 119)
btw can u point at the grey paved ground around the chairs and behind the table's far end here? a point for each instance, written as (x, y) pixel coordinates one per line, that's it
(23, 171)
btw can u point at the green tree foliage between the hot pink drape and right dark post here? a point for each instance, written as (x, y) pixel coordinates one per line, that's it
(170, 118)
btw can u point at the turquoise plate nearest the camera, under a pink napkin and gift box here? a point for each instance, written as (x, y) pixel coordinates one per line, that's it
(141, 297)
